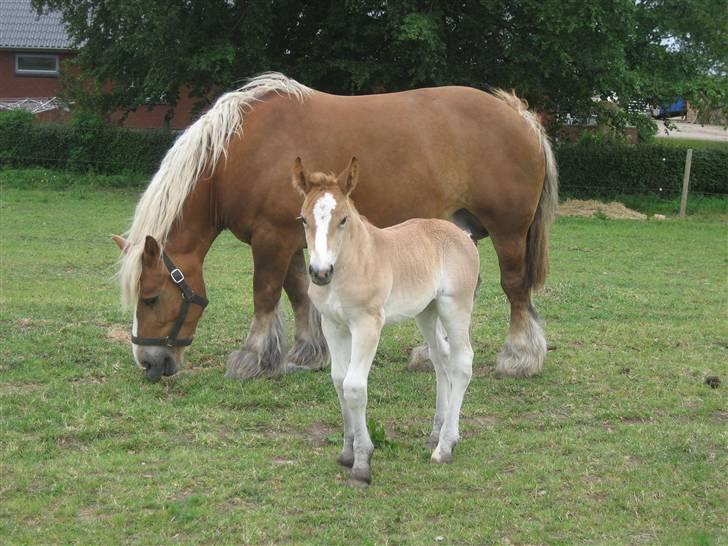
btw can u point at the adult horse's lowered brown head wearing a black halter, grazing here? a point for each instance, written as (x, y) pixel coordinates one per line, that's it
(169, 304)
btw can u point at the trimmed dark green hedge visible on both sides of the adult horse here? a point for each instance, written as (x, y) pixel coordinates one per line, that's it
(588, 169)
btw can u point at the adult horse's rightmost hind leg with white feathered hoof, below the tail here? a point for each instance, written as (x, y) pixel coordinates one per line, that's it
(525, 348)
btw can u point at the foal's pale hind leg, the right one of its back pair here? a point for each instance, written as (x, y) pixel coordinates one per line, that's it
(455, 313)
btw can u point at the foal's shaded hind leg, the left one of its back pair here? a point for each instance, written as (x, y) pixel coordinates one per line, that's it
(438, 352)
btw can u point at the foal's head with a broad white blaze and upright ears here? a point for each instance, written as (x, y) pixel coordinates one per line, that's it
(325, 212)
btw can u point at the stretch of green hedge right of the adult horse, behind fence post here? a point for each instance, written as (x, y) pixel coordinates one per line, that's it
(601, 170)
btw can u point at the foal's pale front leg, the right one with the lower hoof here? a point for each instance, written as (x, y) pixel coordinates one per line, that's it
(364, 340)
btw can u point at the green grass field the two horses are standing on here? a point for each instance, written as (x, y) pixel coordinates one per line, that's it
(620, 441)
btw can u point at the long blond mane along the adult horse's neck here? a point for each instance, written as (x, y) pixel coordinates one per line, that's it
(197, 149)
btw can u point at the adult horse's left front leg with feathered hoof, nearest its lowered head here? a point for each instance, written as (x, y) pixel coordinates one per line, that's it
(262, 353)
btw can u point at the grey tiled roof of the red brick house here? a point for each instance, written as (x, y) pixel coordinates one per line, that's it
(22, 28)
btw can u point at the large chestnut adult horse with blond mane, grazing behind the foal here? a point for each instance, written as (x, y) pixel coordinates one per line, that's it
(482, 160)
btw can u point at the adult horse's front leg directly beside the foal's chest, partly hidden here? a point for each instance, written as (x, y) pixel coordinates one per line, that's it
(309, 351)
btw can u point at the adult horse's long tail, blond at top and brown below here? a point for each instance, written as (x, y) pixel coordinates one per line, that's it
(537, 244)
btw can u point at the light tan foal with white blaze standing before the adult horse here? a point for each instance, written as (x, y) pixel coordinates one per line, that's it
(363, 277)
